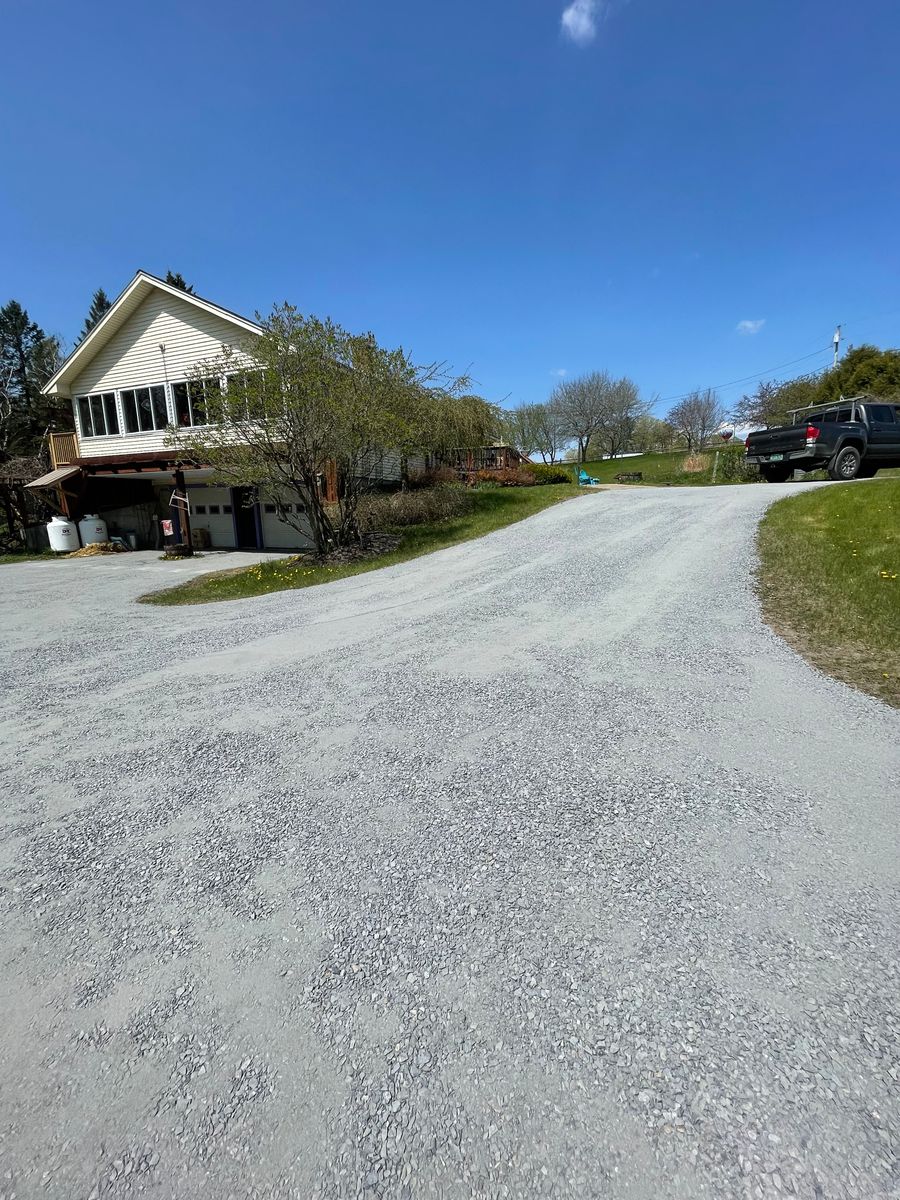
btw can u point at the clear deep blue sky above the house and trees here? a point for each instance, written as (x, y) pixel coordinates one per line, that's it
(521, 188)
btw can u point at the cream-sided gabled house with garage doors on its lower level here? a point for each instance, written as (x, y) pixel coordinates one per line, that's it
(130, 383)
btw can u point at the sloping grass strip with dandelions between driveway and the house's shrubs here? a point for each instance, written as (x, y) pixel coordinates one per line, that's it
(494, 509)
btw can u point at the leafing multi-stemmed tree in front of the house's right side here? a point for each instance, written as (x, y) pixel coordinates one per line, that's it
(305, 395)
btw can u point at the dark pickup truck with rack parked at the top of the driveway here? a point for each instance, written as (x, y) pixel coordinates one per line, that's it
(850, 440)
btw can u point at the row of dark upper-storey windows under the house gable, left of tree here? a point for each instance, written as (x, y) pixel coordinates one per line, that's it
(145, 410)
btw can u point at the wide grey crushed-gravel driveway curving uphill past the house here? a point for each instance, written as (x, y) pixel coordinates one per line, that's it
(537, 867)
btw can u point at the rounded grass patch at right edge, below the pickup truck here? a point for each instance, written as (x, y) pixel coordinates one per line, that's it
(830, 581)
